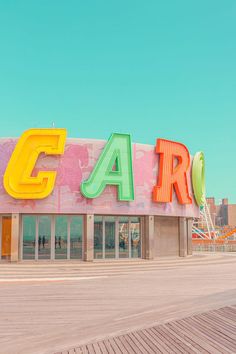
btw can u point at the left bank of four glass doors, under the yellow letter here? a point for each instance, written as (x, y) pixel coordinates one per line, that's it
(50, 237)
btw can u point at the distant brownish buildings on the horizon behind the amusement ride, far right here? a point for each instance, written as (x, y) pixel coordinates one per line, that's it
(223, 214)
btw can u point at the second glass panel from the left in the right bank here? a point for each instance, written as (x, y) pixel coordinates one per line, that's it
(110, 227)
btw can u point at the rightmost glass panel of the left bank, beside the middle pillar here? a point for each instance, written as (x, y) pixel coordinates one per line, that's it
(76, 237)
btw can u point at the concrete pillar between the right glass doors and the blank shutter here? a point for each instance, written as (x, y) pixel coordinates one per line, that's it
(149, 237)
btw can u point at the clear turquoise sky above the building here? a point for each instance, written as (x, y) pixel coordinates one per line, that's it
(149, 68)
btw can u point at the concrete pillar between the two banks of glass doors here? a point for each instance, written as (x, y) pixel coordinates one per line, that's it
(88, 237)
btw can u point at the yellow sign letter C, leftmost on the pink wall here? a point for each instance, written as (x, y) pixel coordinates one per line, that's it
(18, 180)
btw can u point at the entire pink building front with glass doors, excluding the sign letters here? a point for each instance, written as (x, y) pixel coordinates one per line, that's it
(68, 226)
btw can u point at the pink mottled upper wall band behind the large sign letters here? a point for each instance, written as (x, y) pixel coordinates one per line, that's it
(75, 166)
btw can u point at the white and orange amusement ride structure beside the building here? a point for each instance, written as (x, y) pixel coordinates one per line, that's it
(203, 228)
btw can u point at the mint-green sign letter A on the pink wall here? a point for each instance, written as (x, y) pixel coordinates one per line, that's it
(113, 167)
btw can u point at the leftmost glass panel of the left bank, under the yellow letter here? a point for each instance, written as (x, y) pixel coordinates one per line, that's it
(29, 236)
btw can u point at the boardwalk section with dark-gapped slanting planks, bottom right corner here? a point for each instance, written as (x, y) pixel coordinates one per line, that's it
(209, 332)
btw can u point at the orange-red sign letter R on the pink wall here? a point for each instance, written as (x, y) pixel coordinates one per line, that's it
(173, 166)
